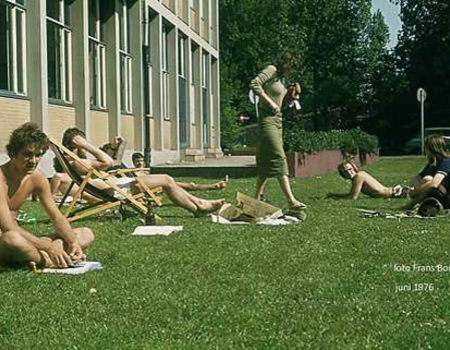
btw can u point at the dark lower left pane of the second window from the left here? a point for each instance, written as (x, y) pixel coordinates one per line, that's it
(54, 61)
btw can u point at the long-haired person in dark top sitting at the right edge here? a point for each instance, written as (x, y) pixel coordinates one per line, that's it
(433, 181)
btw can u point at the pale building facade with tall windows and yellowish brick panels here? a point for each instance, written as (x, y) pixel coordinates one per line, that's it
(147, 70)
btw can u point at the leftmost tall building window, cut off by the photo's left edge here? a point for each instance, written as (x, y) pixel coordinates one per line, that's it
(12, 47)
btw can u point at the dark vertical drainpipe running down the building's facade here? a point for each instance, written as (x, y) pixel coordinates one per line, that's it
(146, 62)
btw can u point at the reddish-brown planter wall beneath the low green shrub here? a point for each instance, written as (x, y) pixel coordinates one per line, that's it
(322, 163)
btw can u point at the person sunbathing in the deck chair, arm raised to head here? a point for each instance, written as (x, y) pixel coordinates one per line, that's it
(74, 140)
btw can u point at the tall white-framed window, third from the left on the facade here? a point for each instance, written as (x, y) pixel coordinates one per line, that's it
(97, 52)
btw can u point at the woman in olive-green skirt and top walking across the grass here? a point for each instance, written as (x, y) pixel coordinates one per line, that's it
(270, 157)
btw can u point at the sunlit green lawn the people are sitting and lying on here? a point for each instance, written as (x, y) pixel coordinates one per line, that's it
(328, 283)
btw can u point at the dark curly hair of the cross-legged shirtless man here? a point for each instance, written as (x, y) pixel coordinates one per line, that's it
(25, 135)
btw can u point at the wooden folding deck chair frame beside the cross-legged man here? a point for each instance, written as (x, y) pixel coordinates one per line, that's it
(111, 197)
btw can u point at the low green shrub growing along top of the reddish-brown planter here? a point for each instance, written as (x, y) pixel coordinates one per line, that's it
(347, 141)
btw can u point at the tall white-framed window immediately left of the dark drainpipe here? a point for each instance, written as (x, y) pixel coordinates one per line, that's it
(125, 58)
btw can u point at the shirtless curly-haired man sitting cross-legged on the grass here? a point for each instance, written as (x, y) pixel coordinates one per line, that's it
(18, 180)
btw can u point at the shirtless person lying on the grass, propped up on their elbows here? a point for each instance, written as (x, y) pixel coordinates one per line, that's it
(365, 183)
